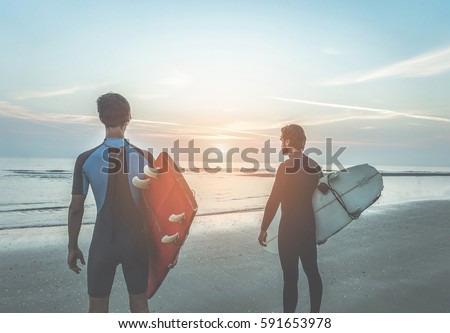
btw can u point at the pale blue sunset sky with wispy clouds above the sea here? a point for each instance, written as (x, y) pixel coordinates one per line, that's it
(373, 76)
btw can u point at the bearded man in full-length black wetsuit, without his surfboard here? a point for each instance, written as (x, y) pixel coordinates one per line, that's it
(295, 182)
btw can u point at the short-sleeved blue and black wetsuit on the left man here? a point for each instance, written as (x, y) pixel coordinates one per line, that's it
(119, 235)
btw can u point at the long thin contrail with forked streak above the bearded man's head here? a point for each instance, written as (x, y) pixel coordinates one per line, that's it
(382, 113)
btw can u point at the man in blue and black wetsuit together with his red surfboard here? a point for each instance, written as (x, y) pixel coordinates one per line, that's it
(144, 211)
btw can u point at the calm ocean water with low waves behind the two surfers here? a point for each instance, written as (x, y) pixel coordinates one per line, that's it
(36, 192)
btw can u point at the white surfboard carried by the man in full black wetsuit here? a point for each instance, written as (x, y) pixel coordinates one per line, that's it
(348, 193)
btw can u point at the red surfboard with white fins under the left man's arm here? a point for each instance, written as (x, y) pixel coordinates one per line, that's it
(170, 210)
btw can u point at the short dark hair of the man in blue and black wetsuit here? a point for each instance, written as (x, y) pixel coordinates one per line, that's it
(113, 110)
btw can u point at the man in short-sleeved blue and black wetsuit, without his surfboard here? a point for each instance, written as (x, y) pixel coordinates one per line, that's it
(118, 236)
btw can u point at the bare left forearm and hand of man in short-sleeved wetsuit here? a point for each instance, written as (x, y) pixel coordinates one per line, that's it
(76, 210)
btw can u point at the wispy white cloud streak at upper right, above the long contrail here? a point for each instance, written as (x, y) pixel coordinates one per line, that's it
(428, 64)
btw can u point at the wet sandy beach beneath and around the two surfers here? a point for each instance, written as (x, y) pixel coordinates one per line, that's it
(395, 258)
